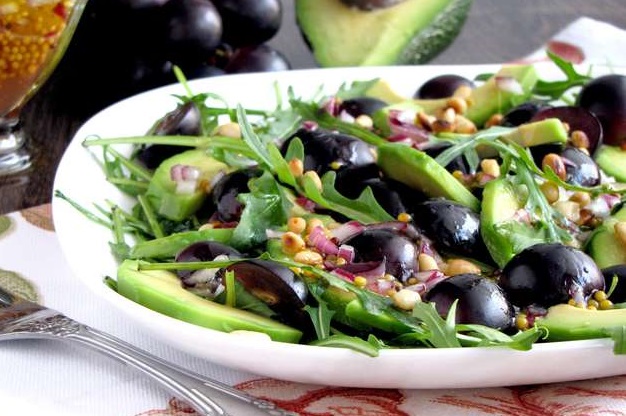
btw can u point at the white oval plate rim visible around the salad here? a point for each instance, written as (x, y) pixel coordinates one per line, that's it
(85, 244)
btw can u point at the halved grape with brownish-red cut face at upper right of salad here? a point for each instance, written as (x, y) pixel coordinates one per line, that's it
(577, 118)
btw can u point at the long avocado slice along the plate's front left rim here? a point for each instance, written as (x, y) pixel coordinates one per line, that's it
(161, 291)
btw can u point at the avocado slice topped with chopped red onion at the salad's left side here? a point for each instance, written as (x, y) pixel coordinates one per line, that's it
(162, 189)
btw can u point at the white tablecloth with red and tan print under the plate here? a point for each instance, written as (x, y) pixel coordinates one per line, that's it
(51, 378)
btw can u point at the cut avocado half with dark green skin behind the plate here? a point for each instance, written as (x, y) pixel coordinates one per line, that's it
(410, 32)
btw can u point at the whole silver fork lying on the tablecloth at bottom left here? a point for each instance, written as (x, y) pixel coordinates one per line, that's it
(22, 319)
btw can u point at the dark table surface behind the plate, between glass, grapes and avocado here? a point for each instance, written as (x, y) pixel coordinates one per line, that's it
(495, 31)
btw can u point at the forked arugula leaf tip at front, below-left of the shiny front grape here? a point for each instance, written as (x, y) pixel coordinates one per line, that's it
(443, 334)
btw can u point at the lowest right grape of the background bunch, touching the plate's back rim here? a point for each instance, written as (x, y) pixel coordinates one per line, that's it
(261, 58)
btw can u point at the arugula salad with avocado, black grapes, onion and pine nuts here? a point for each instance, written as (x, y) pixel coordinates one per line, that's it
(479, 212)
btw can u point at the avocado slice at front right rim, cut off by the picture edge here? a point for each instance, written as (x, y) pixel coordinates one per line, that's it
(566, 322)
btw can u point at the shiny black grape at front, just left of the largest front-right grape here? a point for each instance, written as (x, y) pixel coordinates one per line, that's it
(480, 301)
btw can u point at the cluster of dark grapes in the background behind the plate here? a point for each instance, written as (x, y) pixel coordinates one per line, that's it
(122, 47)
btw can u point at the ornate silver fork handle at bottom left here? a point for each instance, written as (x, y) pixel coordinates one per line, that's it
(206, 396)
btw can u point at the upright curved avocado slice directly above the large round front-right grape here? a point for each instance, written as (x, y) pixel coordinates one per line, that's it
(503, 234)
